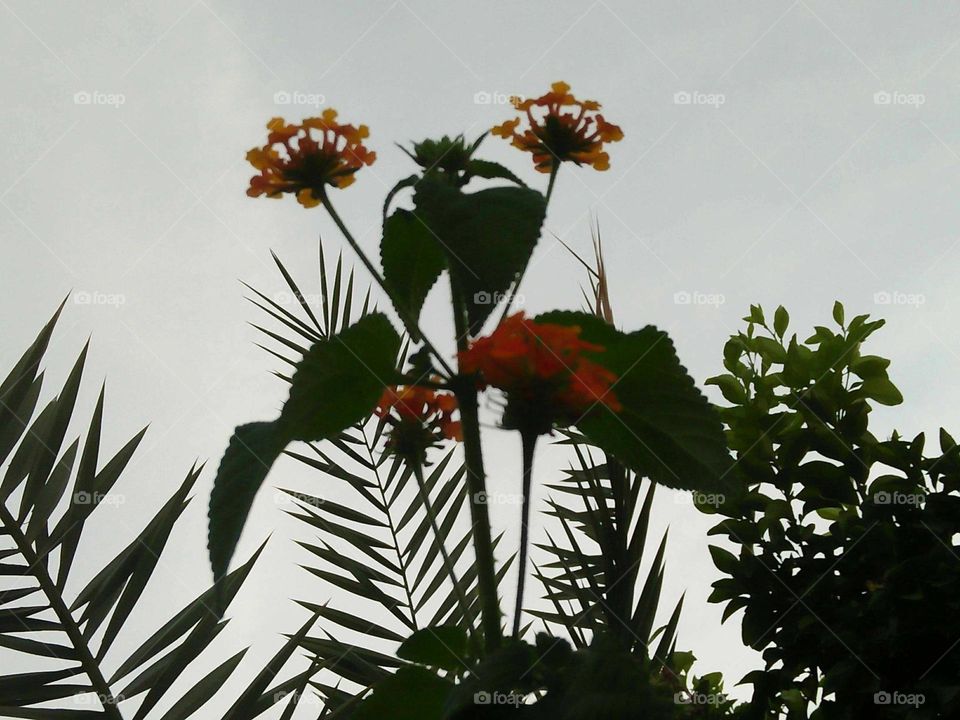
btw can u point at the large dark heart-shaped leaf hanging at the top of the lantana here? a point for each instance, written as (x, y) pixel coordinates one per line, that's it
(488, 237)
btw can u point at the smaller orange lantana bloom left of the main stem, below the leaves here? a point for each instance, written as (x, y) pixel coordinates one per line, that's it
(420, 418)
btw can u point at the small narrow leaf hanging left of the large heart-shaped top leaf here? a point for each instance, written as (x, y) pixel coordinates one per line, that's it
(412, 262)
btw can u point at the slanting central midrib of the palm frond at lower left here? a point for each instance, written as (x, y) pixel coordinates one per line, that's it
(89, 664)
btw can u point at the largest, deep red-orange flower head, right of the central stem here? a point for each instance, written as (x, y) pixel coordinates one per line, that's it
(544, 371)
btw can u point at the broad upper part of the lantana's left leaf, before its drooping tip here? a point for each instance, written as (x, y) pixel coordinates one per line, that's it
(340, 380)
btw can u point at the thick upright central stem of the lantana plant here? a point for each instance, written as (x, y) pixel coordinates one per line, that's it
(466, 392)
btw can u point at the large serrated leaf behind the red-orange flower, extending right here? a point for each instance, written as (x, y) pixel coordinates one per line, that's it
(666, 429)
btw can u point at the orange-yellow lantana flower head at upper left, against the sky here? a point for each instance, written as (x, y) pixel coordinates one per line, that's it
(301, 159)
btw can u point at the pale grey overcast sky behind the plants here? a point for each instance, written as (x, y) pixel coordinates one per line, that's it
(775, 152)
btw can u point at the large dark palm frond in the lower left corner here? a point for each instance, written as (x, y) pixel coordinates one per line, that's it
(49, 491)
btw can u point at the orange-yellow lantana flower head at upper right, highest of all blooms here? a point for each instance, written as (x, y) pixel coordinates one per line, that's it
(556, 136)
